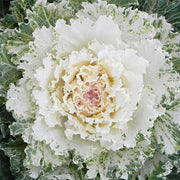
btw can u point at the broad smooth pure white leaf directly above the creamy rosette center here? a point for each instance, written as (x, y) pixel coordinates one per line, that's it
(81, 32)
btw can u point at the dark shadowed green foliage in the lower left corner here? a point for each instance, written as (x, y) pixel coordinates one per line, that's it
(11, 147)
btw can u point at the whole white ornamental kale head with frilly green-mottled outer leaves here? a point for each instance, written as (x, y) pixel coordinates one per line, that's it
(98, 91)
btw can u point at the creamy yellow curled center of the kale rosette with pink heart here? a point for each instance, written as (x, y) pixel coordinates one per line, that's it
(88, 92)
